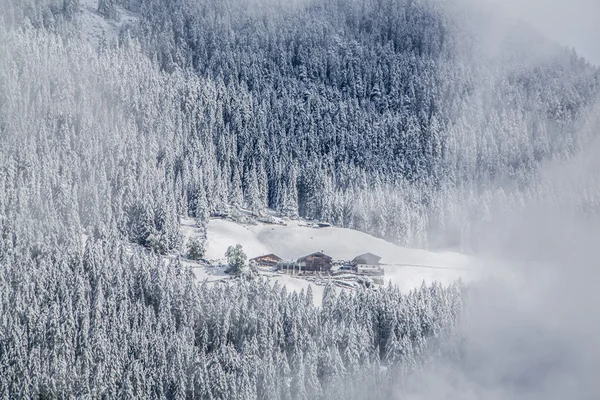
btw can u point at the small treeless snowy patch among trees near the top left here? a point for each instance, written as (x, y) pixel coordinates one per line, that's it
(94, 26)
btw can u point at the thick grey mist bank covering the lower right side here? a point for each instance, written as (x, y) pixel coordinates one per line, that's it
(533, 332)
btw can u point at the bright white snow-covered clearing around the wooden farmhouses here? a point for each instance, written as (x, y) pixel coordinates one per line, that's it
(407, 268)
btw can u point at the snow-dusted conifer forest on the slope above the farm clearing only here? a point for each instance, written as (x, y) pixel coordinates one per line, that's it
(386, 117)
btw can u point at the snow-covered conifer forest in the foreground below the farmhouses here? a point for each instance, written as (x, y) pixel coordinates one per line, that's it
(113, 325)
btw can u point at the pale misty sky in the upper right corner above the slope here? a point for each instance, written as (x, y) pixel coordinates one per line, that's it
(573, 23)
